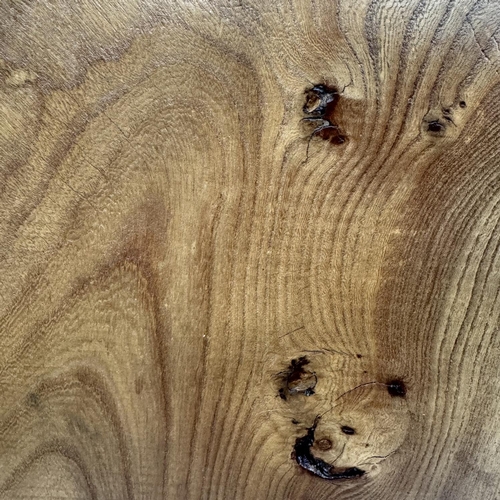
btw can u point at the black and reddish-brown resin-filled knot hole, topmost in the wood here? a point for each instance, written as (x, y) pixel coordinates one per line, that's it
(321, 101)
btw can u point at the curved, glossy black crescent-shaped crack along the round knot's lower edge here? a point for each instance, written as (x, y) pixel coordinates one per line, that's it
(317, 466)
